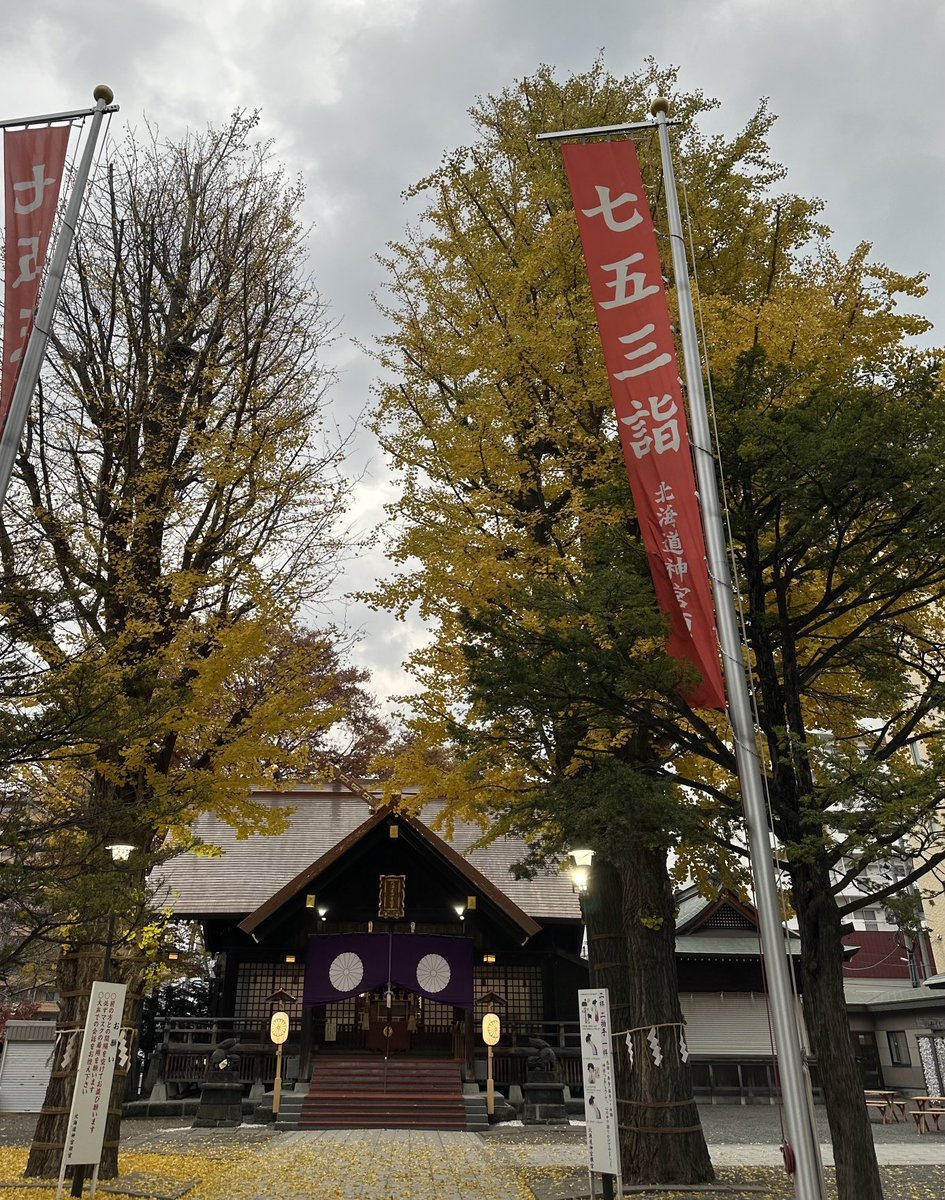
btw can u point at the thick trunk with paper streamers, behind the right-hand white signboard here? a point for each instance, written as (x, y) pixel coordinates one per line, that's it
(631, 937)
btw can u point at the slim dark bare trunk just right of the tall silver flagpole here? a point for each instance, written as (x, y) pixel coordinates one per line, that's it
(826, 1016)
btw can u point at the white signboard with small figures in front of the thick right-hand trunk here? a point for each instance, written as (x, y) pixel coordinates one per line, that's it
(598, 1077)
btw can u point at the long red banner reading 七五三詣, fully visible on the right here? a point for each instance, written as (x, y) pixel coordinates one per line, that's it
(627, 283)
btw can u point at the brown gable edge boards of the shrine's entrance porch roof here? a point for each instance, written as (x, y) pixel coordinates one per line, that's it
(475, 880)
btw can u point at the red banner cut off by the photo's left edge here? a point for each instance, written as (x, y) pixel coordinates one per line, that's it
(34, 163)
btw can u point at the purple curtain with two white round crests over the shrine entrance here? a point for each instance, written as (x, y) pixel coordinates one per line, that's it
(348, 964)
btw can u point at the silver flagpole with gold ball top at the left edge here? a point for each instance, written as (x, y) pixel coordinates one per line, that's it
(33, 359)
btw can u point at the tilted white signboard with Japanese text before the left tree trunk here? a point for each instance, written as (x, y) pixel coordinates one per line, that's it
(87, 1119)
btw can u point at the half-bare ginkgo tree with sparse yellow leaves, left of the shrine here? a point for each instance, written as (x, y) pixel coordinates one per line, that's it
(176, 501)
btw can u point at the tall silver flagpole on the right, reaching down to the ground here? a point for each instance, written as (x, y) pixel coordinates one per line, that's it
(796, 1088)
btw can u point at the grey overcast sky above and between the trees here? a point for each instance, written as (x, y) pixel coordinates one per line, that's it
(363, 98)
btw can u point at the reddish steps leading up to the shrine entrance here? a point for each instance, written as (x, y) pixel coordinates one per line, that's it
(369, 1094)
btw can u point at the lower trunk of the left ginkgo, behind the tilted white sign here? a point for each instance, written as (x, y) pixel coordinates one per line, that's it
(76, 973)
